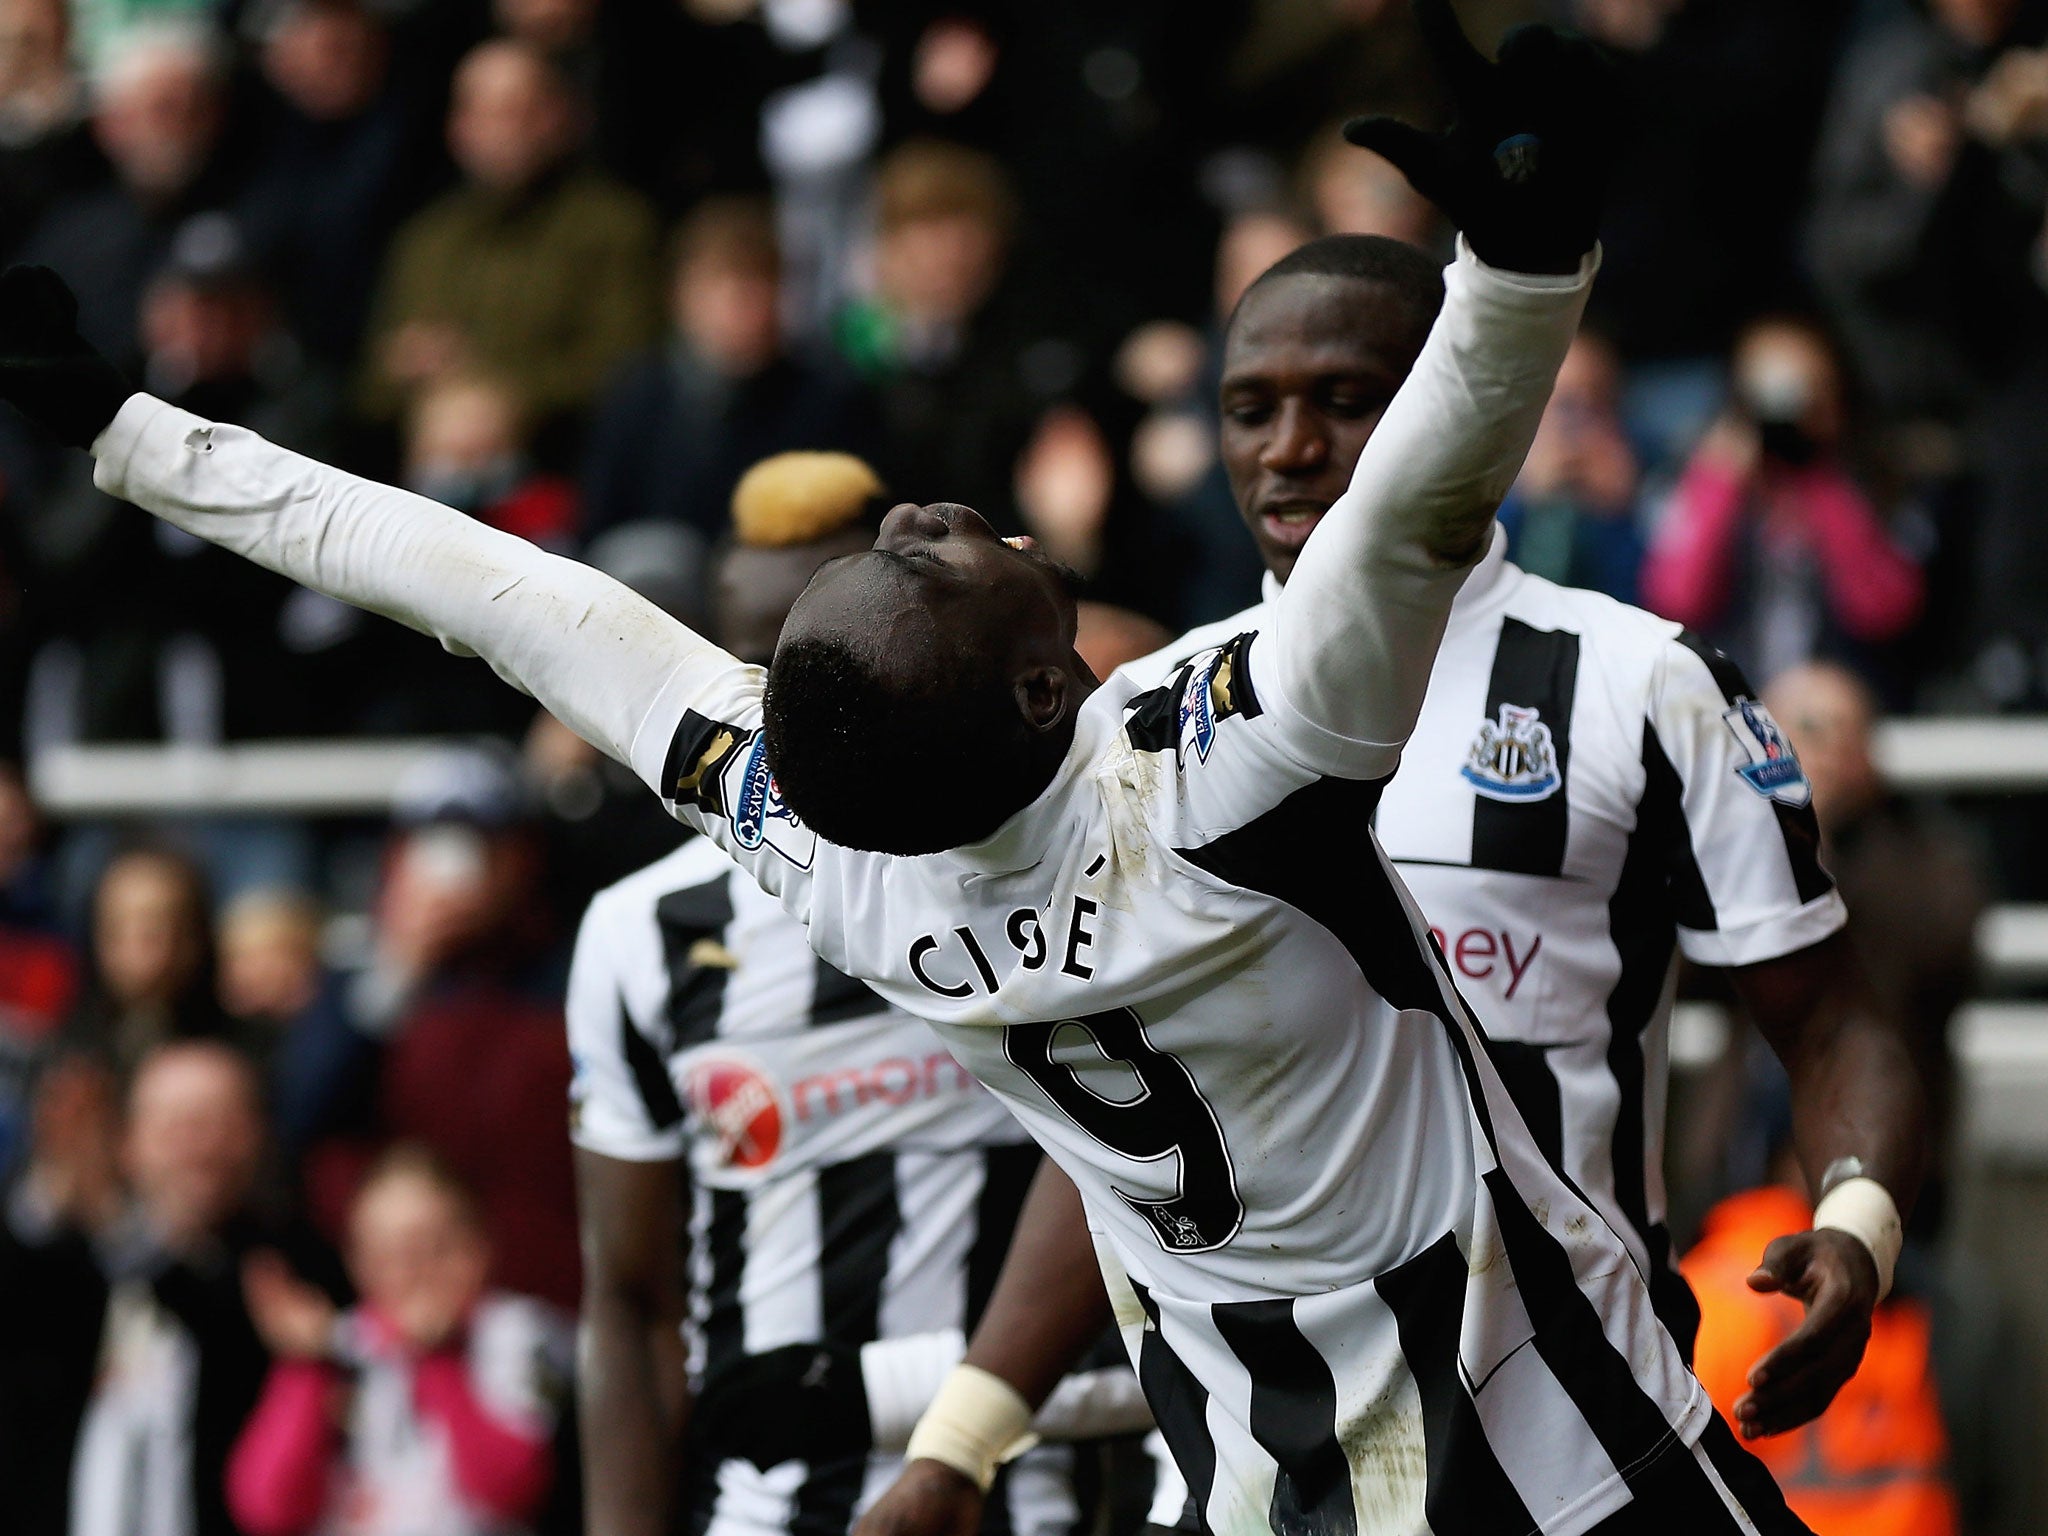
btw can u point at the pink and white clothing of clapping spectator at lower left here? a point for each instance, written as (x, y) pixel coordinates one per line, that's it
(456, 1443)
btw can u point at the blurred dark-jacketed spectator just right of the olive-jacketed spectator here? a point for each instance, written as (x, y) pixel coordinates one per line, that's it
(681, 425)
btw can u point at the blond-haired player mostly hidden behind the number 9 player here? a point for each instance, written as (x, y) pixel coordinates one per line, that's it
(767, 1154)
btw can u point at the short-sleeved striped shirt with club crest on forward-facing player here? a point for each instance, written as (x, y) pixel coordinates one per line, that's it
(1588, 794)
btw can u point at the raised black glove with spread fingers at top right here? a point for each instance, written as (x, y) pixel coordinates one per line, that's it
(1525, 163)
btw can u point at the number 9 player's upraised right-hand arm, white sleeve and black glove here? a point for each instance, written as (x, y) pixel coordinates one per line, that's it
(1521, 171)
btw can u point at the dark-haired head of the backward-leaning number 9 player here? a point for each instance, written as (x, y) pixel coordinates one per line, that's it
(925, 691)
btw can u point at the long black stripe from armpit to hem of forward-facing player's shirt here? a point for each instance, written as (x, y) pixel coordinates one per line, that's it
(1660, 886)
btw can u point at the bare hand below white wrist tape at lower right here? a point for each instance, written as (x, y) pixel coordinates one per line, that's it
(1836, 1277)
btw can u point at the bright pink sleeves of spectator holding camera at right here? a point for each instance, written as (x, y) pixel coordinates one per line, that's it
(1873, 591)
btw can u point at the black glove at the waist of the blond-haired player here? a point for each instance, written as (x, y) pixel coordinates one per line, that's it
(800, 1404)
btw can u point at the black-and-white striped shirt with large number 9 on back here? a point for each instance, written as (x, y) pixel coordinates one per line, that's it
(1359, 1295)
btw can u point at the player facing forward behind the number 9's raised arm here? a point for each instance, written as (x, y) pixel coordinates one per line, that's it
(1586, 794)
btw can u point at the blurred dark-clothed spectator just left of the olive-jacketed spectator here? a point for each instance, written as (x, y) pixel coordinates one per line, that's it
(343, 157)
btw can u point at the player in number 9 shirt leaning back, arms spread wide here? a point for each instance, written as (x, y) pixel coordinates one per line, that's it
(1152, 919)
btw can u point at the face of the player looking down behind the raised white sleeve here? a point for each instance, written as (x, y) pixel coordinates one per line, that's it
(1308, 370)
